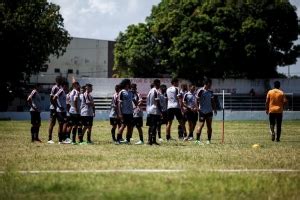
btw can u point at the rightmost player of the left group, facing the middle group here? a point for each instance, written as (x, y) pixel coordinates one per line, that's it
(87, 113)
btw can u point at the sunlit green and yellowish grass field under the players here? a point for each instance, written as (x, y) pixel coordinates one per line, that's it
(201, 176)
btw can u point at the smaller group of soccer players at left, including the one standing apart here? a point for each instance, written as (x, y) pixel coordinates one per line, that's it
(73, 109)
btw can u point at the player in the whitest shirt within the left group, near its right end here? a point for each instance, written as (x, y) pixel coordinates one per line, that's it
(74, 111)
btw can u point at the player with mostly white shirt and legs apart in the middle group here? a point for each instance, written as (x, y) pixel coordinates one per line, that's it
(174, 108)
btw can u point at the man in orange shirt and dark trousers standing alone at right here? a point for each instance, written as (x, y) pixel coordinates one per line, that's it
(274, 108)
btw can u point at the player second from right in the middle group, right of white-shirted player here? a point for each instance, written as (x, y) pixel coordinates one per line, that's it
(190, 104)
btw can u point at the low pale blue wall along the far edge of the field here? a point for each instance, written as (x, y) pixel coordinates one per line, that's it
(104, 115)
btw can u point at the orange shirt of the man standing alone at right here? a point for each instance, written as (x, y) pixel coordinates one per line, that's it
(275, 101)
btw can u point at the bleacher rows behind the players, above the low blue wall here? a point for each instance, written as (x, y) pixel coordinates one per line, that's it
(234, 102)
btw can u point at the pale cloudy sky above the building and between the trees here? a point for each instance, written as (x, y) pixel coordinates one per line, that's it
(104, 19)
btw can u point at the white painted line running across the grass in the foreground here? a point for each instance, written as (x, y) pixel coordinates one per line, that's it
(157, 171)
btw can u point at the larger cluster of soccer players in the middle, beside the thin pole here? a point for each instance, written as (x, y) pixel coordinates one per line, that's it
(162, 105)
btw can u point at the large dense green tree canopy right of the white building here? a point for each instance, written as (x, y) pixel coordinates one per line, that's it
(220, 39)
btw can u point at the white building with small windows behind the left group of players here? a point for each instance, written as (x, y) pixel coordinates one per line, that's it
(83, 58)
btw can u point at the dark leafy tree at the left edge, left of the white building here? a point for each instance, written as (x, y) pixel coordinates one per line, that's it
(30, 31)
